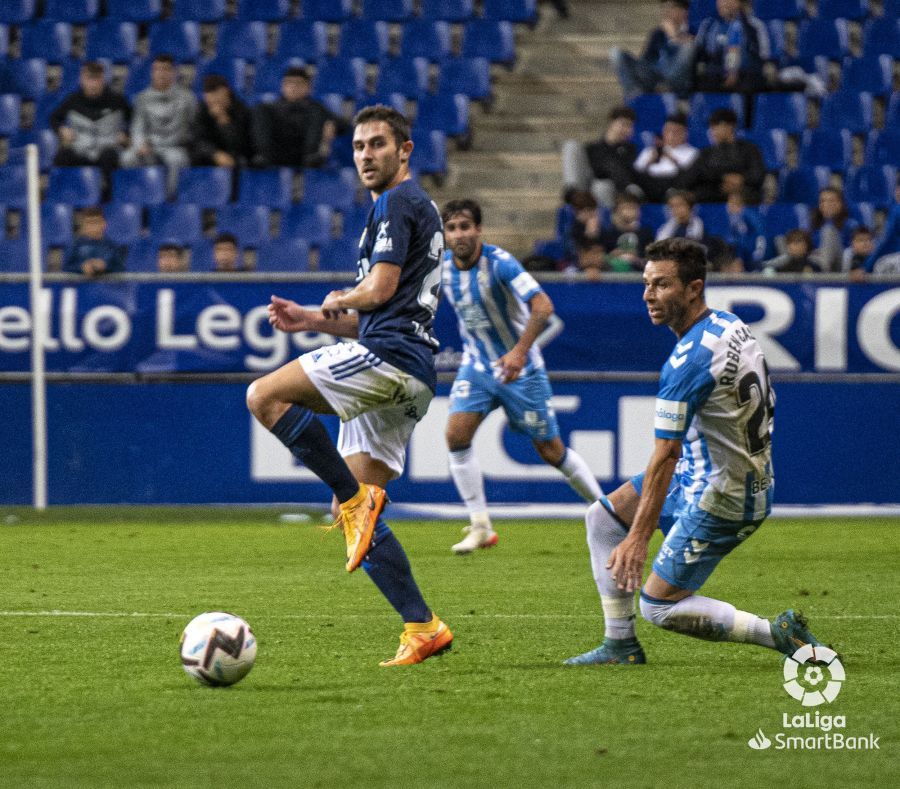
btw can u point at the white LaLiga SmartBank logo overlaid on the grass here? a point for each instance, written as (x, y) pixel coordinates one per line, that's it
(813, 675)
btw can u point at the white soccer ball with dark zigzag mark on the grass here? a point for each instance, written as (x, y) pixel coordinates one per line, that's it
(218, 648)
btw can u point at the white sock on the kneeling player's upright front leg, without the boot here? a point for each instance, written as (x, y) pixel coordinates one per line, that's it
(604, 533)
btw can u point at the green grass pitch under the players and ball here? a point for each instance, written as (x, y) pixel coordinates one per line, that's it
(92, 693)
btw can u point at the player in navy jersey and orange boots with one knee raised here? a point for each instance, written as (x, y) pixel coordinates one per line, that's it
(381, 383)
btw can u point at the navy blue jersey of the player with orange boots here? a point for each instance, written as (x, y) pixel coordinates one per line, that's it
(404, 228)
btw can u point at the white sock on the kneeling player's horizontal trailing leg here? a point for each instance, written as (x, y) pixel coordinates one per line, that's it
(711, 620)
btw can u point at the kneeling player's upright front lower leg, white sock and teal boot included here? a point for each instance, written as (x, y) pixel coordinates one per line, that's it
(620, 645)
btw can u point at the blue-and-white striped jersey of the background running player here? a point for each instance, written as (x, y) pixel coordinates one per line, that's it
(491, 304)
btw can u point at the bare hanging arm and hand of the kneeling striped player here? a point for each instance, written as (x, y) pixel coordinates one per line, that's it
(626, 562)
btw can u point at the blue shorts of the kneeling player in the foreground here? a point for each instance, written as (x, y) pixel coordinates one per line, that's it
(695, 542)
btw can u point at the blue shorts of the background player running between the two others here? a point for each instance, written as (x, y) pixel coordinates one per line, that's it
(526, 400)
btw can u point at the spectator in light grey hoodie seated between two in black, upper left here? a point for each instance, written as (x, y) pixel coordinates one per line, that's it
(162, 123)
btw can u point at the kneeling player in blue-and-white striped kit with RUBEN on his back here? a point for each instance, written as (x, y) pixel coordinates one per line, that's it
(709, 482)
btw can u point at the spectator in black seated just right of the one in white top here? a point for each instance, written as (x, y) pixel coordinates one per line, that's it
(728, 166)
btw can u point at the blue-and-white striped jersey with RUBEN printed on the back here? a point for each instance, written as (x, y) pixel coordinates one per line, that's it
(714, 395)
